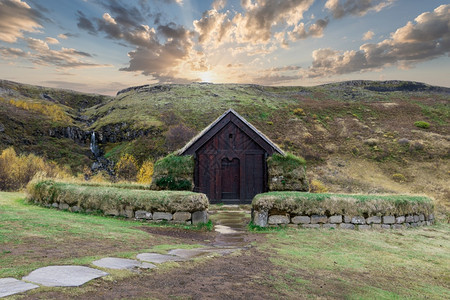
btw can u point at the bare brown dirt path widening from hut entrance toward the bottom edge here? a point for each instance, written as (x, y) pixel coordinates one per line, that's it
(241, 275)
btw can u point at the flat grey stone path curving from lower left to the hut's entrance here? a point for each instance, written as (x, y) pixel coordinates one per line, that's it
(227, 241)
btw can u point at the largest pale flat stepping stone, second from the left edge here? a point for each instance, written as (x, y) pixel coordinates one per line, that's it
(63, 275)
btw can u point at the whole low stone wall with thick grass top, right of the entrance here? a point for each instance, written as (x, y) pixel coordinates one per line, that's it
(341, 211)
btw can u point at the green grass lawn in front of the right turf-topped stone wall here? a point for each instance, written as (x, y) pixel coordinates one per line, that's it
(405, 264)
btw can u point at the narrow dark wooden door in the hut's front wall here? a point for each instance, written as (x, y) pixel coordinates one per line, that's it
(230, 179)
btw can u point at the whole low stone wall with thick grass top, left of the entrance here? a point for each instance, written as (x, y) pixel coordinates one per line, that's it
(174, 206)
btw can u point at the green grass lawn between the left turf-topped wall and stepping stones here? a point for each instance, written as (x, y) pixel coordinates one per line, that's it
(33, 236)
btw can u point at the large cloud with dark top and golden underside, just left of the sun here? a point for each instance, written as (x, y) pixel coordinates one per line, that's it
(165, 52)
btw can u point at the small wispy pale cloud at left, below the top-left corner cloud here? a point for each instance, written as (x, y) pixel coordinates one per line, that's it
(41, 54)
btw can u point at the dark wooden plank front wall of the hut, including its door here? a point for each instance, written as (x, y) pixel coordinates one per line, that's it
(230, 166)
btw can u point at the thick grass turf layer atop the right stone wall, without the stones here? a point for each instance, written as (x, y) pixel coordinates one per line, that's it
(297, 203)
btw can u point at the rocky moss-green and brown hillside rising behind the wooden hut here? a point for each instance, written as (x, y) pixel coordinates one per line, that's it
(357, 136)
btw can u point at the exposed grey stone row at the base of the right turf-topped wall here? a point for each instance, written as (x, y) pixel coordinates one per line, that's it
(264, 219)
